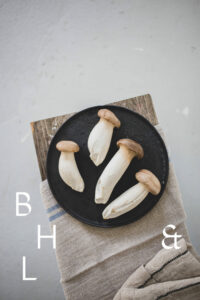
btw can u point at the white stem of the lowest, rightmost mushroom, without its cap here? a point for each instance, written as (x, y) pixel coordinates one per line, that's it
(126, 201)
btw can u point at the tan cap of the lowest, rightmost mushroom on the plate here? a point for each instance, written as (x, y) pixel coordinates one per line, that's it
(150, 181)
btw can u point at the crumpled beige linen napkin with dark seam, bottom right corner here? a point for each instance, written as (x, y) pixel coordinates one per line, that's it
(170, 274)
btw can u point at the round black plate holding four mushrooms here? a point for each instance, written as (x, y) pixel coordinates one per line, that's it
(82, 205)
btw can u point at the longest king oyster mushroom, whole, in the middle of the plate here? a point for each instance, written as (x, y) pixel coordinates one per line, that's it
(114, 170)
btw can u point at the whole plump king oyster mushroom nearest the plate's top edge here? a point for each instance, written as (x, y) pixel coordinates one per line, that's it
(100, 137)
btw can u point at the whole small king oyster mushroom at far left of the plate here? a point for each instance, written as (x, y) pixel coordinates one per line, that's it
(67, 166)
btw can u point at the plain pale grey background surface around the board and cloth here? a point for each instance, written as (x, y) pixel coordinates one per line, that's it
(62, 56)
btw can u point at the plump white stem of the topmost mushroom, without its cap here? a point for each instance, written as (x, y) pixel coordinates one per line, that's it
(99, 141)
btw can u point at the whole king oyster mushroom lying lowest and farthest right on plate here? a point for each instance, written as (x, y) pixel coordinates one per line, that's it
(148, 183)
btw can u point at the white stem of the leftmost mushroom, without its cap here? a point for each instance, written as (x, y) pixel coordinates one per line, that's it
(69, 171)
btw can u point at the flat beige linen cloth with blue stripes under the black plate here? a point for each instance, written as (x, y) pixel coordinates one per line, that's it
(95, 262)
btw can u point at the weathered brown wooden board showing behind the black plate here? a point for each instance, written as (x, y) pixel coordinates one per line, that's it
(44, 130)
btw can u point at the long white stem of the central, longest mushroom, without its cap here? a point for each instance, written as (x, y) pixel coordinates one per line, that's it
(112, 173)
